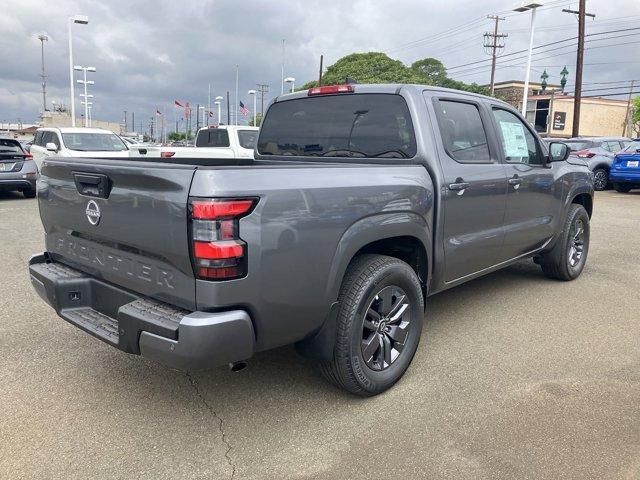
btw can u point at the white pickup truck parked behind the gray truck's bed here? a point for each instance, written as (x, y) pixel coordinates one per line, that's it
(224, 141)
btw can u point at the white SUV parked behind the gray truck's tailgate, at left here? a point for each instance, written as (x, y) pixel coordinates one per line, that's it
(77, 142)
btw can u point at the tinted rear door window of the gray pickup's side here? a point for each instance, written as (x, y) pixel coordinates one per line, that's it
(463, 134)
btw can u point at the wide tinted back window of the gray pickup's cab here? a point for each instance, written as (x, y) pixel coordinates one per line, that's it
(365, 125)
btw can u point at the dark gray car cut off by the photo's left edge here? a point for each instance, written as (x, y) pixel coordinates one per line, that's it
(18, 171)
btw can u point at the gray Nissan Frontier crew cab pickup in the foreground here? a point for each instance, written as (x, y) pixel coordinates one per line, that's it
(362, 200)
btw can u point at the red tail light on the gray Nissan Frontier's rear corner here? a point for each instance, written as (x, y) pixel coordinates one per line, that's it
(218, 251)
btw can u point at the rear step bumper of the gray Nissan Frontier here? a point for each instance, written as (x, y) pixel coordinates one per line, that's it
(138, 325)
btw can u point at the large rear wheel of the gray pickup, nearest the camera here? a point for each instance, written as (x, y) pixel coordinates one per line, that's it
(369, 284)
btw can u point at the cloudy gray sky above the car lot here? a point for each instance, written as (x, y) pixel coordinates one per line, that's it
(148, 53)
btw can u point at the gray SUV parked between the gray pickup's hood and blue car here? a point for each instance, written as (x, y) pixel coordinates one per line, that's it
(598, 152)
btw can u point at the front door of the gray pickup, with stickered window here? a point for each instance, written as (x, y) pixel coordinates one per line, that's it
(534, 197)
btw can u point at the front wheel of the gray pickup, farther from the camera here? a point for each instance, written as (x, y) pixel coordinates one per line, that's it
(567, 258)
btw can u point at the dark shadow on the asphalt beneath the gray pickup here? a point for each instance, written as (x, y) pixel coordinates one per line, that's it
(281, 375)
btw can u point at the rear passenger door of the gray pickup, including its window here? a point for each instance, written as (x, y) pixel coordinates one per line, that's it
(474, 190)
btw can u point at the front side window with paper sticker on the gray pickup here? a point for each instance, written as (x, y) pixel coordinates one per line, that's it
(518, 143)
